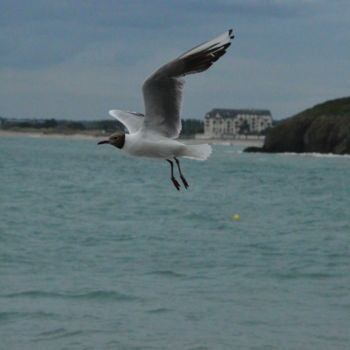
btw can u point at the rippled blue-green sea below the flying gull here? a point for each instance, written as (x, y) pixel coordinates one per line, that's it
(99, 250)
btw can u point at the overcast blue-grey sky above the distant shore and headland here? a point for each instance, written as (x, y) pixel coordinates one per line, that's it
(77, 59)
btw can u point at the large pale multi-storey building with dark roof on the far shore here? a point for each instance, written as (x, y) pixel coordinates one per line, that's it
(227, 123)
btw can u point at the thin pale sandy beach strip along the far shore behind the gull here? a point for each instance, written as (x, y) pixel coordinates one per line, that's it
(221, 142)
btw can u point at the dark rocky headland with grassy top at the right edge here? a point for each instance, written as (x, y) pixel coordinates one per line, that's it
(324, 128)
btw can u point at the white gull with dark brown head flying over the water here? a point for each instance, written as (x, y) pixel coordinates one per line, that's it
(154, 133)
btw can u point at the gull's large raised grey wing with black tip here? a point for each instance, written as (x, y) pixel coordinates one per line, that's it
(162, 91)
